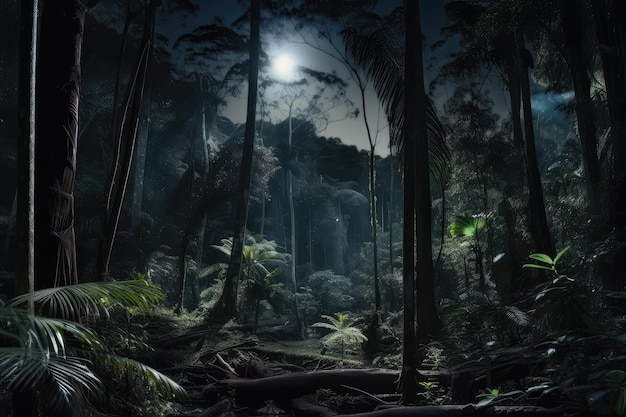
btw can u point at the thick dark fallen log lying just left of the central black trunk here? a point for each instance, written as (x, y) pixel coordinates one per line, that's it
(296, 384)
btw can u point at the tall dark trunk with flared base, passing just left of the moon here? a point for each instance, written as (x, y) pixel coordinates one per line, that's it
(227, 304)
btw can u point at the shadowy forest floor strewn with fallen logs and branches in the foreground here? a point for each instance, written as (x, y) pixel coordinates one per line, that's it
(234, 371)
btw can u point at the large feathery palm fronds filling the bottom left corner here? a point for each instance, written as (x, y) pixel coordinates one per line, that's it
(54, 352)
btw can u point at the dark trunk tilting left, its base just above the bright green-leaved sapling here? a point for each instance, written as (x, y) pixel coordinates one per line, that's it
(538, 222)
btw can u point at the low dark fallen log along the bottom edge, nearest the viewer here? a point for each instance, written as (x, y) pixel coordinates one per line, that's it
(461, 410)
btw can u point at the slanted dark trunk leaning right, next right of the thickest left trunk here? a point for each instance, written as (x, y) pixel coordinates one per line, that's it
(129, 126)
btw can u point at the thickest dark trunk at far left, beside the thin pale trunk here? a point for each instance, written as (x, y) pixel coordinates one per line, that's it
(58, 84)
